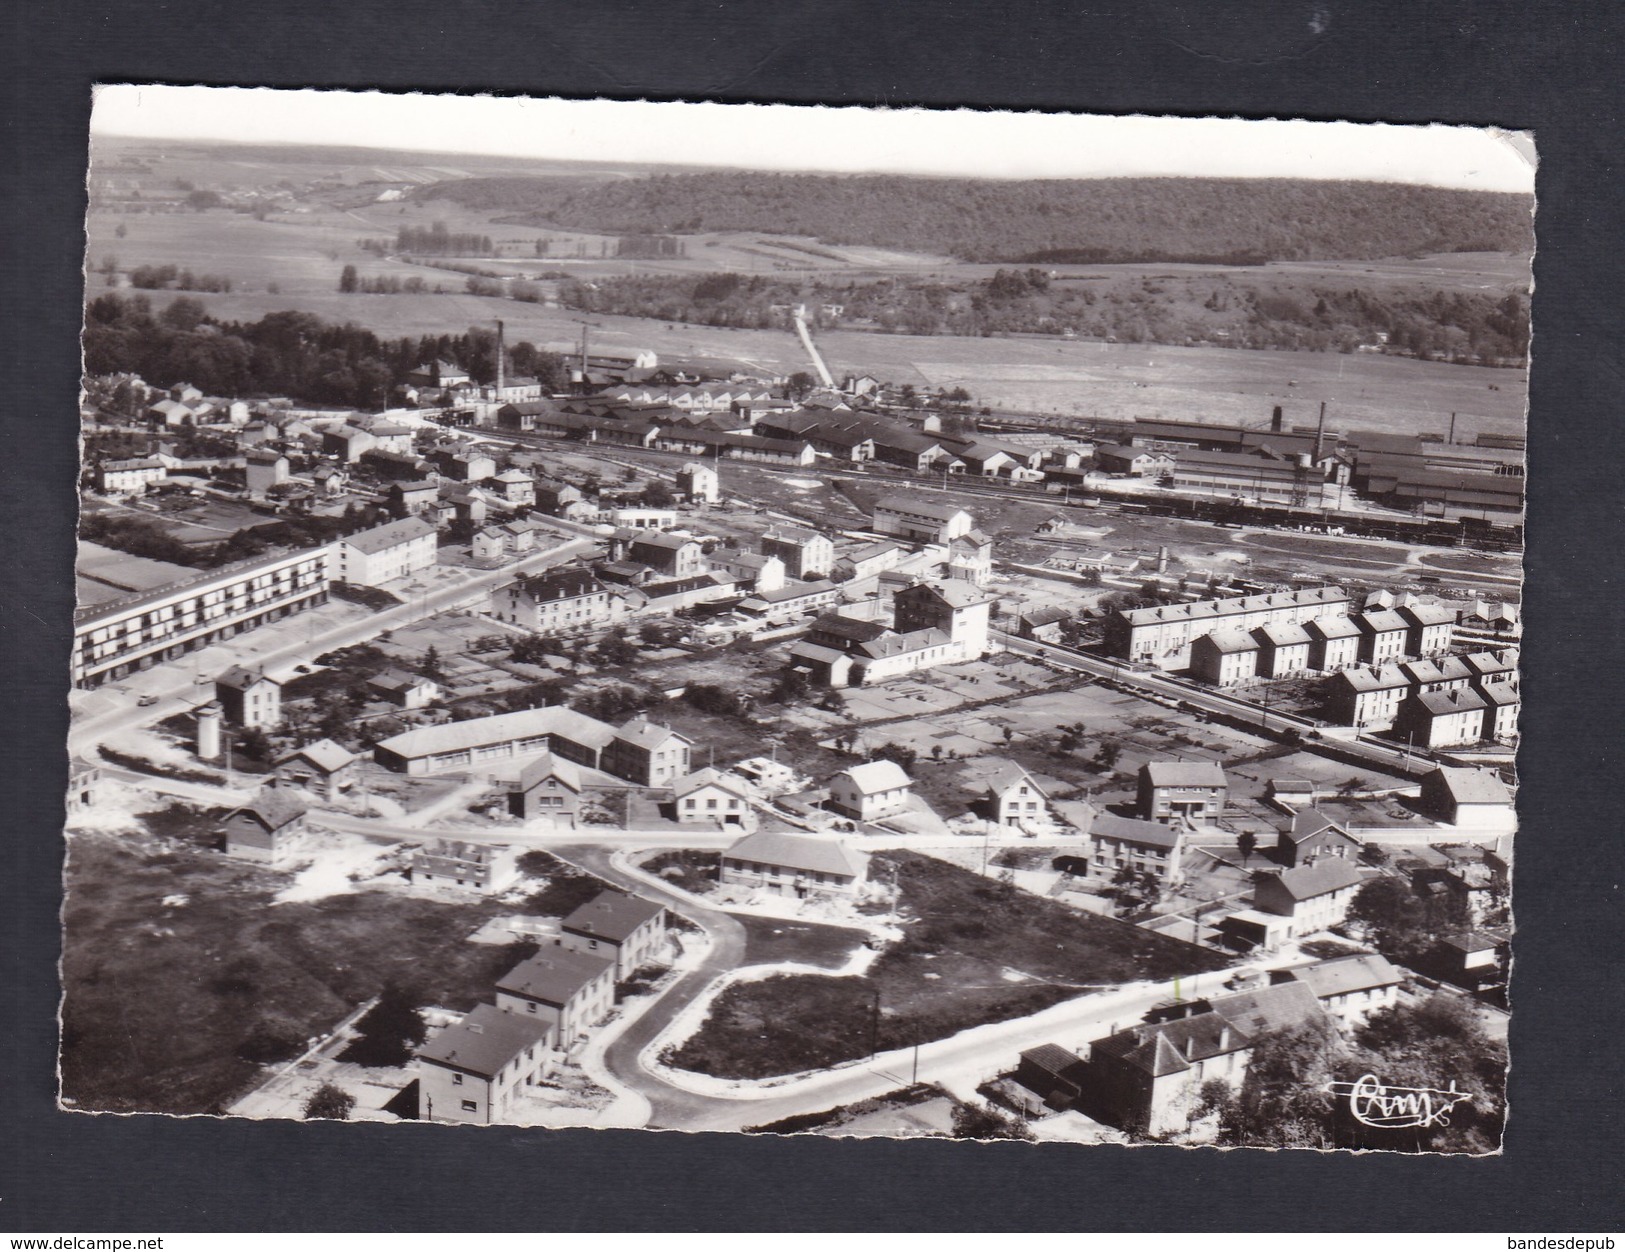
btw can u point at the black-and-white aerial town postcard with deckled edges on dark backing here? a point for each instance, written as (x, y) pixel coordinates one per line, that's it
(789, 620)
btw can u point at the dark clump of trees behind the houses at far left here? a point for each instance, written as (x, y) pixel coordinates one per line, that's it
(284, 354)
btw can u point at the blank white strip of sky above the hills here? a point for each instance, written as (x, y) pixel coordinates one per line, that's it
(950, 142)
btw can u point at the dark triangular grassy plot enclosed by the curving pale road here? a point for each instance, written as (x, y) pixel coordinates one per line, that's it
(977, 952)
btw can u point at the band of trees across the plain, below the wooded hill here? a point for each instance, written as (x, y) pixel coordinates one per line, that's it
(1242, 313)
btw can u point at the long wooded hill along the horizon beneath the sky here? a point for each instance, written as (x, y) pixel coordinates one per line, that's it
(1041, 222)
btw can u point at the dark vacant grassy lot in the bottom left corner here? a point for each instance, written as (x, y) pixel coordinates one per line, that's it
(175, 1001)
